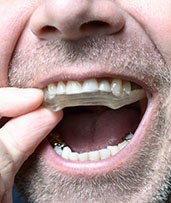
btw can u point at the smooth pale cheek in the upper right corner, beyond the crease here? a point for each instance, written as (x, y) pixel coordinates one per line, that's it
(155, 18)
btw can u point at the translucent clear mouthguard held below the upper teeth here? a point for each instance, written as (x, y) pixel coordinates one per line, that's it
(60, 101)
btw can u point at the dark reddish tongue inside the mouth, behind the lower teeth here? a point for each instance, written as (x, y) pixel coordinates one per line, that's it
(94, 128)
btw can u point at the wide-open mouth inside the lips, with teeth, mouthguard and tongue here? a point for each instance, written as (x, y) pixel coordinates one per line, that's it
(100, 117)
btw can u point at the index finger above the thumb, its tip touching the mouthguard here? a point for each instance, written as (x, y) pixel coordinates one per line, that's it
(17, 101)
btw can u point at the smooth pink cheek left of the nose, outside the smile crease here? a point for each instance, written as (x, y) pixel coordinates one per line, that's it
(13, 14)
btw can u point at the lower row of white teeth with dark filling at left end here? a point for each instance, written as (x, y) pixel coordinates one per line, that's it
(66, 153)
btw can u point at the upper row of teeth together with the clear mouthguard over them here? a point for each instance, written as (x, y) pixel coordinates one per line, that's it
(114, 94)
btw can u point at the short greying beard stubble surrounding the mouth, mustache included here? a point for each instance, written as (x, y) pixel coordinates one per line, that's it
(146, 178)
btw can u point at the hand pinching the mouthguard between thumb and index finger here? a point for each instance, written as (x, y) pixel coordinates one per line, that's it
(19, 137)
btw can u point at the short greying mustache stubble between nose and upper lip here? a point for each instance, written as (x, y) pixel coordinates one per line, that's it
(134, 57)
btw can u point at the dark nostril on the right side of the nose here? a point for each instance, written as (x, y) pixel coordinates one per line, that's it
(94, 26)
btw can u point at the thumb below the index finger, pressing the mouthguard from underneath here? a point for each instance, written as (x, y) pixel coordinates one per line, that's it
(21, 135)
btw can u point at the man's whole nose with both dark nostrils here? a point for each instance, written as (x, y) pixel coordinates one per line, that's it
(75, 19)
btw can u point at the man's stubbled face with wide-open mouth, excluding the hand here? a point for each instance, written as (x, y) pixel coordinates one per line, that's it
(46, 41)
